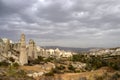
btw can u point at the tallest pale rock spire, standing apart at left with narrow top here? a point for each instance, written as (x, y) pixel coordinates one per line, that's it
(23, 54)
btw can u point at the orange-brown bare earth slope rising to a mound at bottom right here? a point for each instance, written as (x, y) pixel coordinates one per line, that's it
(101, 74)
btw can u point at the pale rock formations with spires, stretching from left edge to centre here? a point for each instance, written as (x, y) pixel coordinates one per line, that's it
(22, 52)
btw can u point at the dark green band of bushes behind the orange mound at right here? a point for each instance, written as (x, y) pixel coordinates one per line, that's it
(96, 62)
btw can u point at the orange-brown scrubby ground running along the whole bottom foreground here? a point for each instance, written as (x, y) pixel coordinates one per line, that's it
(104, 73)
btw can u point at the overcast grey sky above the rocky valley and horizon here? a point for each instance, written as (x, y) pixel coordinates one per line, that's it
(72, 23)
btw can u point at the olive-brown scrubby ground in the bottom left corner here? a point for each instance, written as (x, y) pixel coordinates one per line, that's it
(10, 73)
